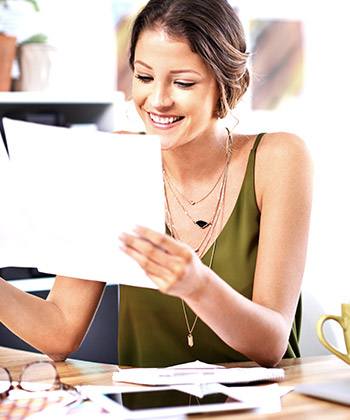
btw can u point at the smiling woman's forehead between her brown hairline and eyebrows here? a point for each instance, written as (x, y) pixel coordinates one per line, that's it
(158, 50)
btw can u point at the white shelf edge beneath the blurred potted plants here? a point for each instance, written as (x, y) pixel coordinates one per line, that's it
(59, 98)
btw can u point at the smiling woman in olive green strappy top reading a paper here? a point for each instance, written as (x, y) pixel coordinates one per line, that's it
(229, 269)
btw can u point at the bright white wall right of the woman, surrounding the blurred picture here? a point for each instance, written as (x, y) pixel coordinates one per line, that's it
(321, 117)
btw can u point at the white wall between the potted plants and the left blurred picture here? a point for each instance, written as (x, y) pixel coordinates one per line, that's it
(83, 33)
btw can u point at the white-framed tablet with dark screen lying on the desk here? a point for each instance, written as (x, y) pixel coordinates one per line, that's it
(159, 403)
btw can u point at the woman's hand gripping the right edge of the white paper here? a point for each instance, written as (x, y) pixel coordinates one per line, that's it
(171, 264)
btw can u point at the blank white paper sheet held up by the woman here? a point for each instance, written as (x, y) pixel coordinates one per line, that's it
(70, 194)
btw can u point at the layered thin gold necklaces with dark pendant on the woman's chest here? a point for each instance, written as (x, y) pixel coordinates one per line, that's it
(207, 226)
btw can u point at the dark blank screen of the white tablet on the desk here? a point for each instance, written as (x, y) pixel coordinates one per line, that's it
(165, 398)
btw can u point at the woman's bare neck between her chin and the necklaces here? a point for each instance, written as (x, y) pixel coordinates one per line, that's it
(198, 160)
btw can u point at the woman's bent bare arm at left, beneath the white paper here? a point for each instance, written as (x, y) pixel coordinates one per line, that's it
(55, 326)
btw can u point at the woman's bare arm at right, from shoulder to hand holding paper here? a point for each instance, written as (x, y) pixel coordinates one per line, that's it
(259, 328)
